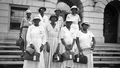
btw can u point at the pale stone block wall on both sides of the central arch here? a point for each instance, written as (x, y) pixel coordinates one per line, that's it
(91, 12)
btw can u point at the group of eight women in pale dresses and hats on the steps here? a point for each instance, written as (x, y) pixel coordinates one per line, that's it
(50, 35)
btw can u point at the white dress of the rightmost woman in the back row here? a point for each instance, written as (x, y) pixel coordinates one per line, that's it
(75, 18)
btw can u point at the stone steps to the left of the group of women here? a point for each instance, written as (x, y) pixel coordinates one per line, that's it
(10, 55)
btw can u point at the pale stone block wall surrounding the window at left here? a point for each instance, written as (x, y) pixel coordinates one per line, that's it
(5, 14)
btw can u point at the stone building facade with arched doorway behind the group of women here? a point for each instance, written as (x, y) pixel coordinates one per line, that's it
(103, 16)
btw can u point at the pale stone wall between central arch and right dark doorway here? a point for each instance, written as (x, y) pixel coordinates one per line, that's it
(94, 14)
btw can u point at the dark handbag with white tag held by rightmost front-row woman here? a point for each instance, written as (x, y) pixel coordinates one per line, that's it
(80, 58)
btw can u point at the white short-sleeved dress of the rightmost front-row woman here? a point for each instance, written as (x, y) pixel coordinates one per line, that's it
(85, 40)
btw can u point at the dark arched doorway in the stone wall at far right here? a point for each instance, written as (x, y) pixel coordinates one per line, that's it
(110, 23)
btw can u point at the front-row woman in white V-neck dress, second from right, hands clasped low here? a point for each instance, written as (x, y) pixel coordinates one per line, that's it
(68, 39)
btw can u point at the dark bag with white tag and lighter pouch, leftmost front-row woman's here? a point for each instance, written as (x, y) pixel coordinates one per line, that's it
(31, 54)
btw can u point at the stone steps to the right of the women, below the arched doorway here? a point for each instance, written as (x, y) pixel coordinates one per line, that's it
(107, 56)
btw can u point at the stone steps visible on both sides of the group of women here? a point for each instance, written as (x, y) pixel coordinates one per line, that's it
(105, 55)
